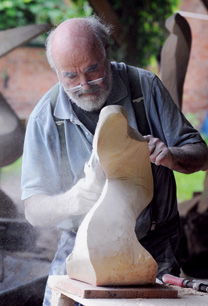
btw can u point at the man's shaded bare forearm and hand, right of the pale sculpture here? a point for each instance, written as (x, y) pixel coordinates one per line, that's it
(186, 159)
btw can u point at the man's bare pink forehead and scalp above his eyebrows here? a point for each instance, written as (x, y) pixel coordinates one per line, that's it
(76, 53)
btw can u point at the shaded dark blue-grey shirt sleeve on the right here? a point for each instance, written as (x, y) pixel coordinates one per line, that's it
(166, 120)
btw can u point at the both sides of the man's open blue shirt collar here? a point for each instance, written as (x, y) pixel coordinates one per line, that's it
(63, 109)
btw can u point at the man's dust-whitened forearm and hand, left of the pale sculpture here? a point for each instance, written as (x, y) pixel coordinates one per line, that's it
(44, 210)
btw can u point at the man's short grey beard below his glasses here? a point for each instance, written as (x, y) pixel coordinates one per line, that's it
(86, 103)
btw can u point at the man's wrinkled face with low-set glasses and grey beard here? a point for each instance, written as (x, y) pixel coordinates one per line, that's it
(85, 74)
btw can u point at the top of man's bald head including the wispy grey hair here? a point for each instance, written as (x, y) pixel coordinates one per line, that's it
(76, 35)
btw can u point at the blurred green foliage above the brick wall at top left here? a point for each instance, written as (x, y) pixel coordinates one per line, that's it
(14, 13)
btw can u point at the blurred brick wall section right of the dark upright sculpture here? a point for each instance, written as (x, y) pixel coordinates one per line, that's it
(195, 97)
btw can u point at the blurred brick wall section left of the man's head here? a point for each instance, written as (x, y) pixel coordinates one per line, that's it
(24, 77)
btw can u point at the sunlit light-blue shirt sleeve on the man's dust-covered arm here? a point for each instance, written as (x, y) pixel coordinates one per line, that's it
(41, 155)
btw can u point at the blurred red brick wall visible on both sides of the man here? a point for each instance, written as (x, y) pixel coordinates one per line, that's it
(25, 74)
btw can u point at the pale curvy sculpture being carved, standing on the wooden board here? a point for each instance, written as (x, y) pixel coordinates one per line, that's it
(106, 250)
